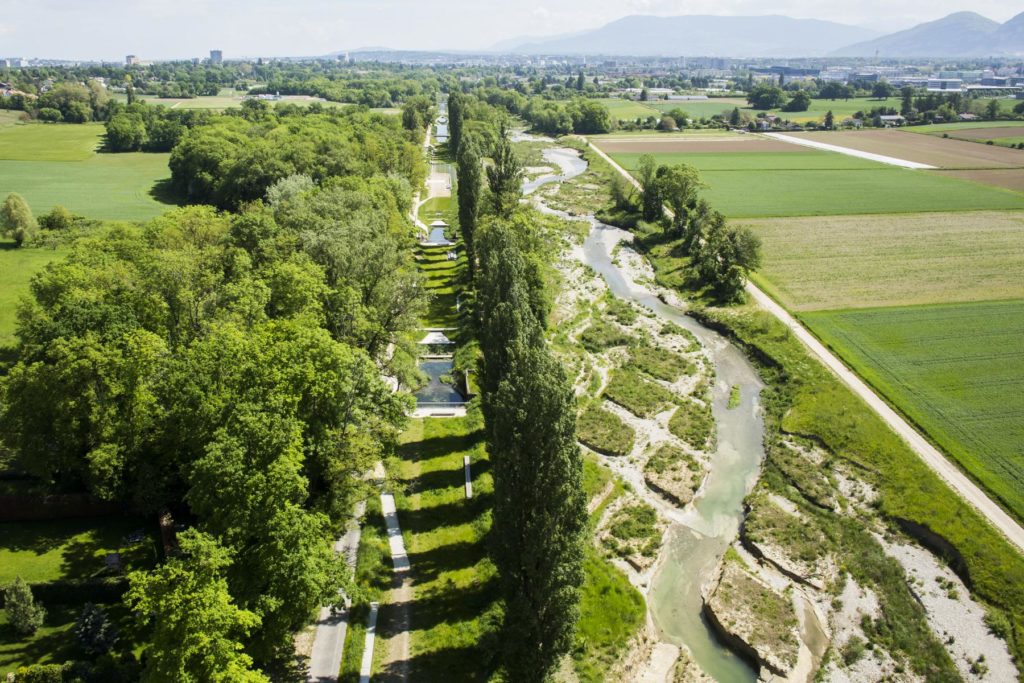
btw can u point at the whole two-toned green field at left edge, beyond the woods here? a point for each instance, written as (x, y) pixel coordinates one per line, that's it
(52, 164)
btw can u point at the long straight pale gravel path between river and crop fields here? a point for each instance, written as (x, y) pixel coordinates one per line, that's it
(969, 491)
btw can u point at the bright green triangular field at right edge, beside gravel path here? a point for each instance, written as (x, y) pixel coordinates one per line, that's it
(957, 371)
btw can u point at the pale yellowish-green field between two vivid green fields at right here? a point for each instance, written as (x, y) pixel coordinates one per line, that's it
(818, 264)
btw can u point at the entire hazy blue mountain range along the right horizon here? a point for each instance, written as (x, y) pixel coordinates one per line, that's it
(959, 35)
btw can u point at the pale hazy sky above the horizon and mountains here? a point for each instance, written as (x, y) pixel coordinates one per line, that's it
(169, 29)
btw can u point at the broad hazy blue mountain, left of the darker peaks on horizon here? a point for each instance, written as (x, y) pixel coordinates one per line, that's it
(705, 36)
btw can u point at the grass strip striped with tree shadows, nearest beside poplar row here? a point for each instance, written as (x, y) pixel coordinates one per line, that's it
(454, 581)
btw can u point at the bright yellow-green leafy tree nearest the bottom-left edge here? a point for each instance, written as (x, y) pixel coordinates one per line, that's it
(196, 625)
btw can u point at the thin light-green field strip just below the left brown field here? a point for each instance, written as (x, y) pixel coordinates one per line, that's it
(753, 161)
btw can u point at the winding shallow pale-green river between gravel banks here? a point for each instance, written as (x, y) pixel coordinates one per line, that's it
(712, 523)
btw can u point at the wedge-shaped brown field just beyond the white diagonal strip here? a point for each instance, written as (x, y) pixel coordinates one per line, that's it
(945, 153)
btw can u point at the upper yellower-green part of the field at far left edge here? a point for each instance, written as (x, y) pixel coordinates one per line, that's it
(51, 142)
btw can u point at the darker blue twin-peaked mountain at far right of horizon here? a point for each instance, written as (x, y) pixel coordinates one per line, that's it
(959, 35)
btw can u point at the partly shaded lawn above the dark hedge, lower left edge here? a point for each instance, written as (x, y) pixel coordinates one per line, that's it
(42, 551)
